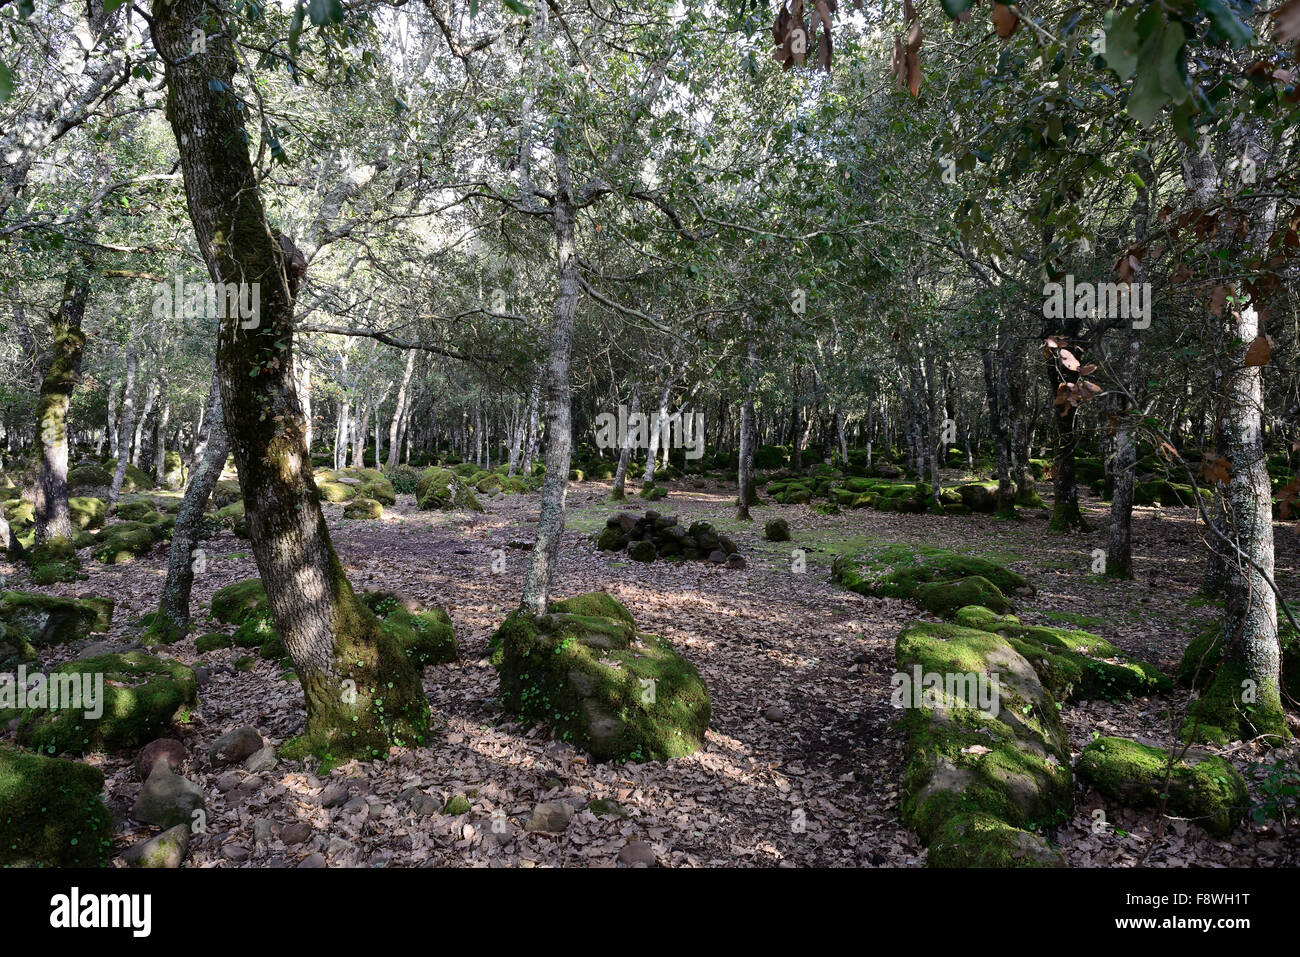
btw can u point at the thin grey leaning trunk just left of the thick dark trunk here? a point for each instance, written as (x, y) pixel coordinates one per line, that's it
(185, 560)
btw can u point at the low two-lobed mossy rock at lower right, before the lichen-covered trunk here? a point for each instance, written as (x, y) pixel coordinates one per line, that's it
(1202, 787)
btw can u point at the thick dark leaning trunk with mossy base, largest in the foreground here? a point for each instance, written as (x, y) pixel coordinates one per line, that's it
(362, 692)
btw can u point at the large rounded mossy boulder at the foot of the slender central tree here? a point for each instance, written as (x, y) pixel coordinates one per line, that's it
(616, 692)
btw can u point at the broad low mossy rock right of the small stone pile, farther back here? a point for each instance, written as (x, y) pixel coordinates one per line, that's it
(898, 570)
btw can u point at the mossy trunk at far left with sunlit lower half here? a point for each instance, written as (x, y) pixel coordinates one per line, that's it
(57, 389)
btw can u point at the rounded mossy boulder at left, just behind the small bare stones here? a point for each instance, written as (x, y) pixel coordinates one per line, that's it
(141, 696)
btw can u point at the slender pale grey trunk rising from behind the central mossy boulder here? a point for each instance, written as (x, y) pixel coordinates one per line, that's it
(551, 527)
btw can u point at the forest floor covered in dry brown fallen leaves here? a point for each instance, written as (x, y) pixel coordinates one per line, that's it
(803, 760)
